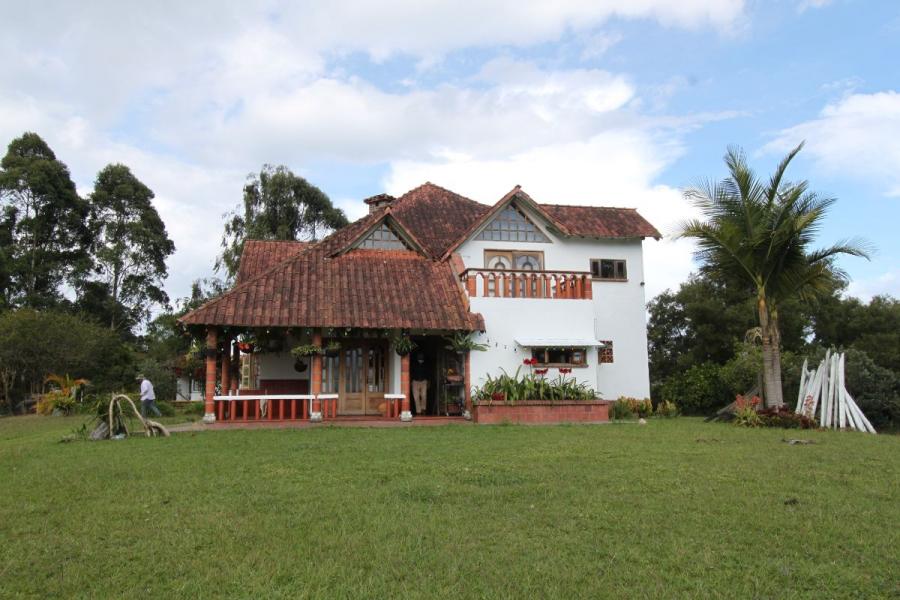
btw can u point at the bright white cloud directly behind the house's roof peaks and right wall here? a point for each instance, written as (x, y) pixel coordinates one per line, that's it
(616, 168)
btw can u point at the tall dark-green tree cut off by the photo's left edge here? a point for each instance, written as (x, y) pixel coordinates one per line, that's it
(43, 219)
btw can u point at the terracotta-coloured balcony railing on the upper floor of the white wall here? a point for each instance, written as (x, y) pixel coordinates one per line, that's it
(557, 285)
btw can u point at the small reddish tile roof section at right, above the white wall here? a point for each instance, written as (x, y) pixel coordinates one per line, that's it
(601, 221)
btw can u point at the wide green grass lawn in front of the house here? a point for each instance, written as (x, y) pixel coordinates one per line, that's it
(675, 508)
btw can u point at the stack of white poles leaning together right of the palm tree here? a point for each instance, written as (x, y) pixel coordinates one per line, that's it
(824, 397)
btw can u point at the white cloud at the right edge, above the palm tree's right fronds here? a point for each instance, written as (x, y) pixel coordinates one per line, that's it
(858, 135)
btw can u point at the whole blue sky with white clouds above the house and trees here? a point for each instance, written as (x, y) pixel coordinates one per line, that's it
(589, 102)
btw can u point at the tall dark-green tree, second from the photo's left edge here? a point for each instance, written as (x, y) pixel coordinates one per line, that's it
(131, 245)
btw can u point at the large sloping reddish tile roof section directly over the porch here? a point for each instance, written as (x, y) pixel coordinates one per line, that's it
(360, 288)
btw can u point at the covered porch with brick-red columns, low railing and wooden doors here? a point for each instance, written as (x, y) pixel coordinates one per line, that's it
(336, 375)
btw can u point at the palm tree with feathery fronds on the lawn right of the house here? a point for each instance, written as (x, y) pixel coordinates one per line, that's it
(758, 234)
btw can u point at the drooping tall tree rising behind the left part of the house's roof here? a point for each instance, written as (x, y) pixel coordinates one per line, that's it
(278, 205)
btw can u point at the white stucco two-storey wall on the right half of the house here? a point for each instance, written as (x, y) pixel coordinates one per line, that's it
(617, 313)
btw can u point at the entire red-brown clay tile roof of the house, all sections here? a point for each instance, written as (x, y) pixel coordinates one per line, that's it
(333, 283)
